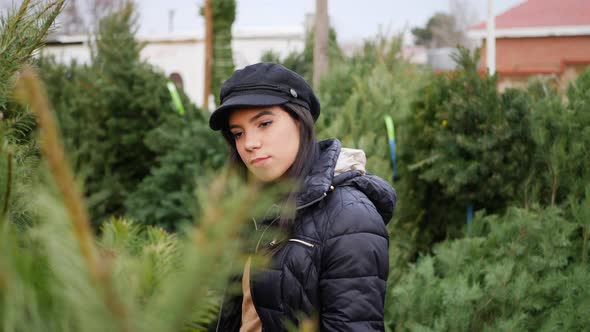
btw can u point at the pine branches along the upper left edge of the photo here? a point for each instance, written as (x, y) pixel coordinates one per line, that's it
(22, 33)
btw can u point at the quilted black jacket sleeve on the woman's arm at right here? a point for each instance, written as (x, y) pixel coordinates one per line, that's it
(354, 269)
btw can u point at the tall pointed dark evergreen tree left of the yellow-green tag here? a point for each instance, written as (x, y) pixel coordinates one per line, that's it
(133, 97)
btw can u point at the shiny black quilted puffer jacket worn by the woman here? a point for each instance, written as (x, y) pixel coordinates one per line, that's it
(336, 262)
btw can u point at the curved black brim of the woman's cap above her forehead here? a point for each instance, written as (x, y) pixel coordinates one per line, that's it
(218, 118)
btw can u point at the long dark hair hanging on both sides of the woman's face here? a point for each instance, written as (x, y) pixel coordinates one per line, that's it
(306, 156)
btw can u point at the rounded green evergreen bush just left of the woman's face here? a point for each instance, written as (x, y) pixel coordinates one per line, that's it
(187, 149)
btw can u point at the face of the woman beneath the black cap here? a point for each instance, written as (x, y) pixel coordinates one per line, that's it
(267, 140)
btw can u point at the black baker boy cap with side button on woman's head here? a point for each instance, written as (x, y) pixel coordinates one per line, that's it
(263, 84)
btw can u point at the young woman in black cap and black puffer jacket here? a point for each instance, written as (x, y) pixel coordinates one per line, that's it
(333, 264)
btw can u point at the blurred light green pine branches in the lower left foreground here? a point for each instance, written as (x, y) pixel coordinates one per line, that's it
(150, 280)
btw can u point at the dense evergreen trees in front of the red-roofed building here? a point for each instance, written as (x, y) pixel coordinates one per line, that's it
(466, 144)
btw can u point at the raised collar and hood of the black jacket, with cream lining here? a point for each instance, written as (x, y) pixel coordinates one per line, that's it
(349, 166)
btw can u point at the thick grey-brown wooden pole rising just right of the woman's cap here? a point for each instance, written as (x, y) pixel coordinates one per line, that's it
(320, 50)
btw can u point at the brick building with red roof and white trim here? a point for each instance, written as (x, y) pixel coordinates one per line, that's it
(539, 37)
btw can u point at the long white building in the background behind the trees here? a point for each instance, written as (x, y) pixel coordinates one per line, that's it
(184, 53)
